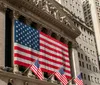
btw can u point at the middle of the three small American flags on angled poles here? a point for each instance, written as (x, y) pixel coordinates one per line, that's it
(61, 76)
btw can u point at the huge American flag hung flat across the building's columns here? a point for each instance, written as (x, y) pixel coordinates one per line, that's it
(30, 44)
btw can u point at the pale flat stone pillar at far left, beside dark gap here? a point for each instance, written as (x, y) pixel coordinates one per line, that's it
(2, 34)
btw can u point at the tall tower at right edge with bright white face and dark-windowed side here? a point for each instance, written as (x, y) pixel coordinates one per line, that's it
(92, 18)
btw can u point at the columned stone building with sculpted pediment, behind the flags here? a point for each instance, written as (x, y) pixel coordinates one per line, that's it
(46, 16)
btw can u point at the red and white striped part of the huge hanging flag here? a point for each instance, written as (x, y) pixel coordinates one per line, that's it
(61, 54)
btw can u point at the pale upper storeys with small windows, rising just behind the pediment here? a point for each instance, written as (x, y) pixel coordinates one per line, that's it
(74, 6)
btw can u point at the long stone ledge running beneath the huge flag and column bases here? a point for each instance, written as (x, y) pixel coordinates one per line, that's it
(24, 78)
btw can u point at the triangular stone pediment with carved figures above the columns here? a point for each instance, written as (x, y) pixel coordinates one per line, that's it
(49, 11)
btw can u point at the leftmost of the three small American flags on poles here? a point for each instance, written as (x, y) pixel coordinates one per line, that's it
(37, 70)
